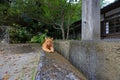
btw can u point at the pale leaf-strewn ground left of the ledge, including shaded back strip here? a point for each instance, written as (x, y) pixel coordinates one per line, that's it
(19, 61)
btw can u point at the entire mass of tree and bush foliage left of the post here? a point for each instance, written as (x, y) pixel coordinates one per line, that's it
(32, 16)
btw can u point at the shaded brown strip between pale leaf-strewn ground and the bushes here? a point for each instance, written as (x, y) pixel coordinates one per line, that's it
(19, 48)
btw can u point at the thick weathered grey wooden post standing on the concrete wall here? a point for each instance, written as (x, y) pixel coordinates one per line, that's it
(90, 19)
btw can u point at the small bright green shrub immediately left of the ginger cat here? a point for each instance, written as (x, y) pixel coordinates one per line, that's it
(38, 38)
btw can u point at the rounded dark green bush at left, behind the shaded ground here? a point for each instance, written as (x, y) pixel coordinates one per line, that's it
(19, 34)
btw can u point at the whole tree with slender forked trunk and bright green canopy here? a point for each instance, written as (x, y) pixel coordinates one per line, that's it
(60, 14)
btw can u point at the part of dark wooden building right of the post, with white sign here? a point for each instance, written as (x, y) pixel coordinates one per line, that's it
(110, 21)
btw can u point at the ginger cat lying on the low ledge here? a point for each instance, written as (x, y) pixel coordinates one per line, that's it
(47, 46)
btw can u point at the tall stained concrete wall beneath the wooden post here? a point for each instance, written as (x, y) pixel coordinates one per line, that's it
(98, 60)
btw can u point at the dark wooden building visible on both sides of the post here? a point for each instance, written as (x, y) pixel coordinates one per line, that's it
(110, 23)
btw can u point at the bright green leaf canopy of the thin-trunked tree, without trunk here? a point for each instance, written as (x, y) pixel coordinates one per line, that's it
(54, 10)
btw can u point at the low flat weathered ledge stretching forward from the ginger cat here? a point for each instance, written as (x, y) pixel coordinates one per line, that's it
(53, 66)
